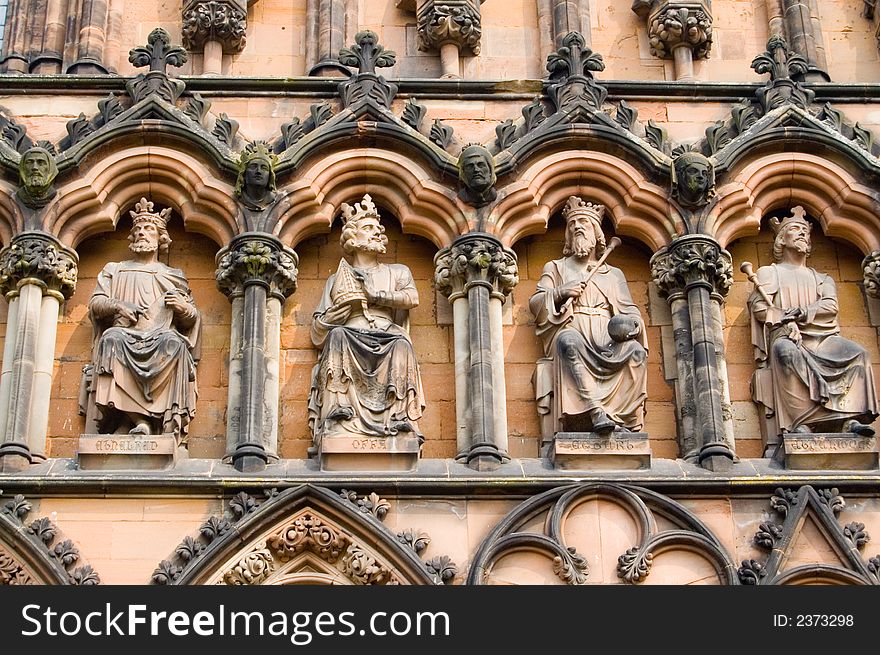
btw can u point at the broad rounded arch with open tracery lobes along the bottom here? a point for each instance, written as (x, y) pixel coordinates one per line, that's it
(517, 532)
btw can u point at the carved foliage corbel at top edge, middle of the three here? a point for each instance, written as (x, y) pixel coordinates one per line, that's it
(449, 21)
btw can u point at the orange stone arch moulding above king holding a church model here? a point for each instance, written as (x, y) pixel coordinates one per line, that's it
(424, 206)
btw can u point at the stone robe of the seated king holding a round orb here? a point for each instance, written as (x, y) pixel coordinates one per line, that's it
(575, 337)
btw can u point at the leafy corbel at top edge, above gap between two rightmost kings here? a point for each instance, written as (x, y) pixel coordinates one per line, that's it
(675, 24)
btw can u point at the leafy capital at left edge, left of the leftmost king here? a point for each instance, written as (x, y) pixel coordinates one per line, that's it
(38, 258)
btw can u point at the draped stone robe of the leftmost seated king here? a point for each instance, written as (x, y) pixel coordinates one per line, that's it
(147, 368)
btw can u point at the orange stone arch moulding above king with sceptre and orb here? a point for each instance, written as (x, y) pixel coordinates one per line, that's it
(635, 206)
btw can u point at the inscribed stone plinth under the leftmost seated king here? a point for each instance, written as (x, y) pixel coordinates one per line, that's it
(118, 452)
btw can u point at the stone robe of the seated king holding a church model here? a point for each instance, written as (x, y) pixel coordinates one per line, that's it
(371, 370)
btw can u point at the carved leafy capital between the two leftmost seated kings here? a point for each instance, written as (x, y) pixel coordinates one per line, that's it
(256, 258)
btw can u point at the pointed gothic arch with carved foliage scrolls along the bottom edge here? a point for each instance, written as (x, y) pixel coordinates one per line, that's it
(306, 535)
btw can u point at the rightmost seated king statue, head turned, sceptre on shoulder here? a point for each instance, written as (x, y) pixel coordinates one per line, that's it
(809, 378)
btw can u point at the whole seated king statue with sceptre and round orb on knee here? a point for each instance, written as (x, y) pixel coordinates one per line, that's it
(593, 375)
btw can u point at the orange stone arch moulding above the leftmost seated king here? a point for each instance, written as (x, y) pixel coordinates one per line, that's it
(92, 203)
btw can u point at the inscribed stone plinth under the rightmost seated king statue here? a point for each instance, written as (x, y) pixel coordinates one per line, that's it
(833, 451)
